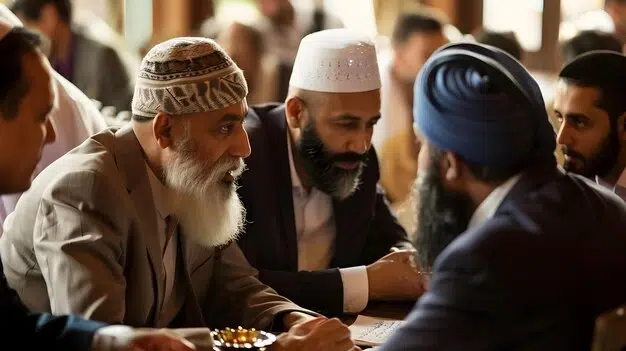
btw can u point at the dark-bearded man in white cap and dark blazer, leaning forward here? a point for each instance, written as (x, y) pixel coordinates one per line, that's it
(318, 228)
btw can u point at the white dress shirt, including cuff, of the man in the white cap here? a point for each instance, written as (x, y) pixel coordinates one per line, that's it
(315, 230)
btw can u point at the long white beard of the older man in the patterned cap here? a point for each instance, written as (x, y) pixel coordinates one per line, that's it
(208, 209)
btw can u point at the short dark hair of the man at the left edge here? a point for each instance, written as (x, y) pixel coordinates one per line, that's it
(13, 84)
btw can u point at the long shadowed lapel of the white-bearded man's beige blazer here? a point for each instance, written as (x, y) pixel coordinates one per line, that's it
(128, 156)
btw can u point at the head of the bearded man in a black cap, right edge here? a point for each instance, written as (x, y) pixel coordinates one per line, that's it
(590, 108)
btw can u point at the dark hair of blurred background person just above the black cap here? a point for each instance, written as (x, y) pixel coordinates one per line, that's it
(587, 41)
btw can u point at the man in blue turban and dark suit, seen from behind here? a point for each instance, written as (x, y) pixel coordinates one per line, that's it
(522, 255)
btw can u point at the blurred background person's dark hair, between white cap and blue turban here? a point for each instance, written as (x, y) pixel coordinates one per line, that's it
(418, 22)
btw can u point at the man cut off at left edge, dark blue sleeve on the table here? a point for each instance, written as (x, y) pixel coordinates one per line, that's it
(26, 98)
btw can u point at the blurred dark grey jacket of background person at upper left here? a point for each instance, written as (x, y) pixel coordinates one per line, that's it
(100, 73)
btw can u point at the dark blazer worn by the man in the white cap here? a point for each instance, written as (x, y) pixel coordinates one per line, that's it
(365, 228)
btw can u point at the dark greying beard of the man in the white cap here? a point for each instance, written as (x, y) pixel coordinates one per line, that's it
(319, 164)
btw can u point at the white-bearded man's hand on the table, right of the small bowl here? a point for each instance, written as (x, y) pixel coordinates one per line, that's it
(318, 334)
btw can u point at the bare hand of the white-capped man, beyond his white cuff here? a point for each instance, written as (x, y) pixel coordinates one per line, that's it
(395, 277)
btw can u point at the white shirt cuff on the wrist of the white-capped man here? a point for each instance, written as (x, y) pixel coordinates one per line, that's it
(355, 289)
